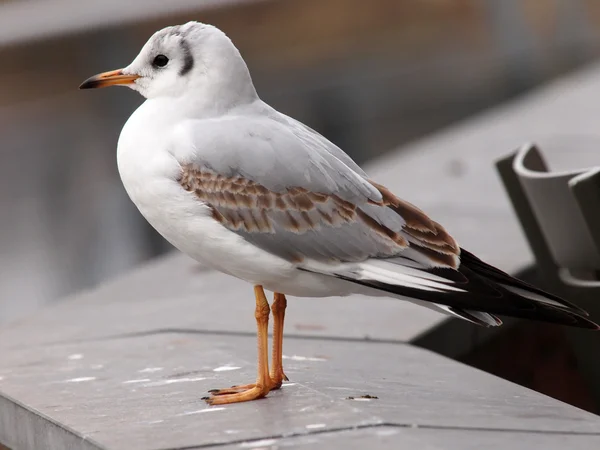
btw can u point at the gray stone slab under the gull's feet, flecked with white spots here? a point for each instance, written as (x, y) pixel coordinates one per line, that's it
(145, 391)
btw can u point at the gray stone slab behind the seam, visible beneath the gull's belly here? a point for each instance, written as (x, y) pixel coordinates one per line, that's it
(174, 292)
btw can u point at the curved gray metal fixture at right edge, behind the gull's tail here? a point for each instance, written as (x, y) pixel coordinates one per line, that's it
(560, 215)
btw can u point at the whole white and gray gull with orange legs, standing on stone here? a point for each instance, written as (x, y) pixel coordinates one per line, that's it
(253, 193)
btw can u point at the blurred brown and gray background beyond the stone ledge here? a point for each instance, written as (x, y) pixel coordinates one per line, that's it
(369, 75)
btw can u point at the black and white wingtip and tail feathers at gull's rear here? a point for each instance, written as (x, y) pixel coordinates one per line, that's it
(475, 291)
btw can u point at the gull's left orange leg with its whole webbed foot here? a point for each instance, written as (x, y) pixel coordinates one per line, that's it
(263, 381)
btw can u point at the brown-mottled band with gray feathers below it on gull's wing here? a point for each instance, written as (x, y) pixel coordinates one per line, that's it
(294, 223)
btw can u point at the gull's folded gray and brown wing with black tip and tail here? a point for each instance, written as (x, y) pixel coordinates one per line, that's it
(282, 189)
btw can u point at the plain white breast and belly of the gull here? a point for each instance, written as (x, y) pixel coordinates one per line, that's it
(149, 172)
